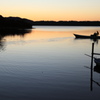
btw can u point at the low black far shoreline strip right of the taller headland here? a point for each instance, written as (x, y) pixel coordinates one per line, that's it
(67, 23)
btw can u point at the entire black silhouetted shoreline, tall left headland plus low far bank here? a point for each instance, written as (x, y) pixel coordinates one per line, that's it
(26, 23)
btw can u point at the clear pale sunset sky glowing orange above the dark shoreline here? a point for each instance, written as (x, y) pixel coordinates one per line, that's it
(52, 10)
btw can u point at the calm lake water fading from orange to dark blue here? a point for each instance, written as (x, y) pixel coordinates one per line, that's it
(48, 64)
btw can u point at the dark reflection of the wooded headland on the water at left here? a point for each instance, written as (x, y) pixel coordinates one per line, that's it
(11, 32)
